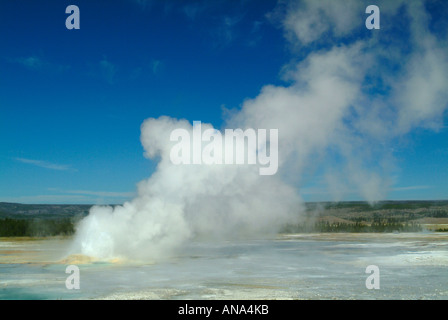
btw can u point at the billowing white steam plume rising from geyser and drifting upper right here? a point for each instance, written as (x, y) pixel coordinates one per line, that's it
(348, 101)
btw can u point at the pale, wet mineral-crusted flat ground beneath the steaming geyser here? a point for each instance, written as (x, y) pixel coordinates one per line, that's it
(296, 266)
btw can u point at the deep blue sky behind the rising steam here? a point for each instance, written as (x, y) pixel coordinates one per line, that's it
(72, 101)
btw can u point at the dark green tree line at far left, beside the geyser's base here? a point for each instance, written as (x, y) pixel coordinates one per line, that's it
(36, 227)
